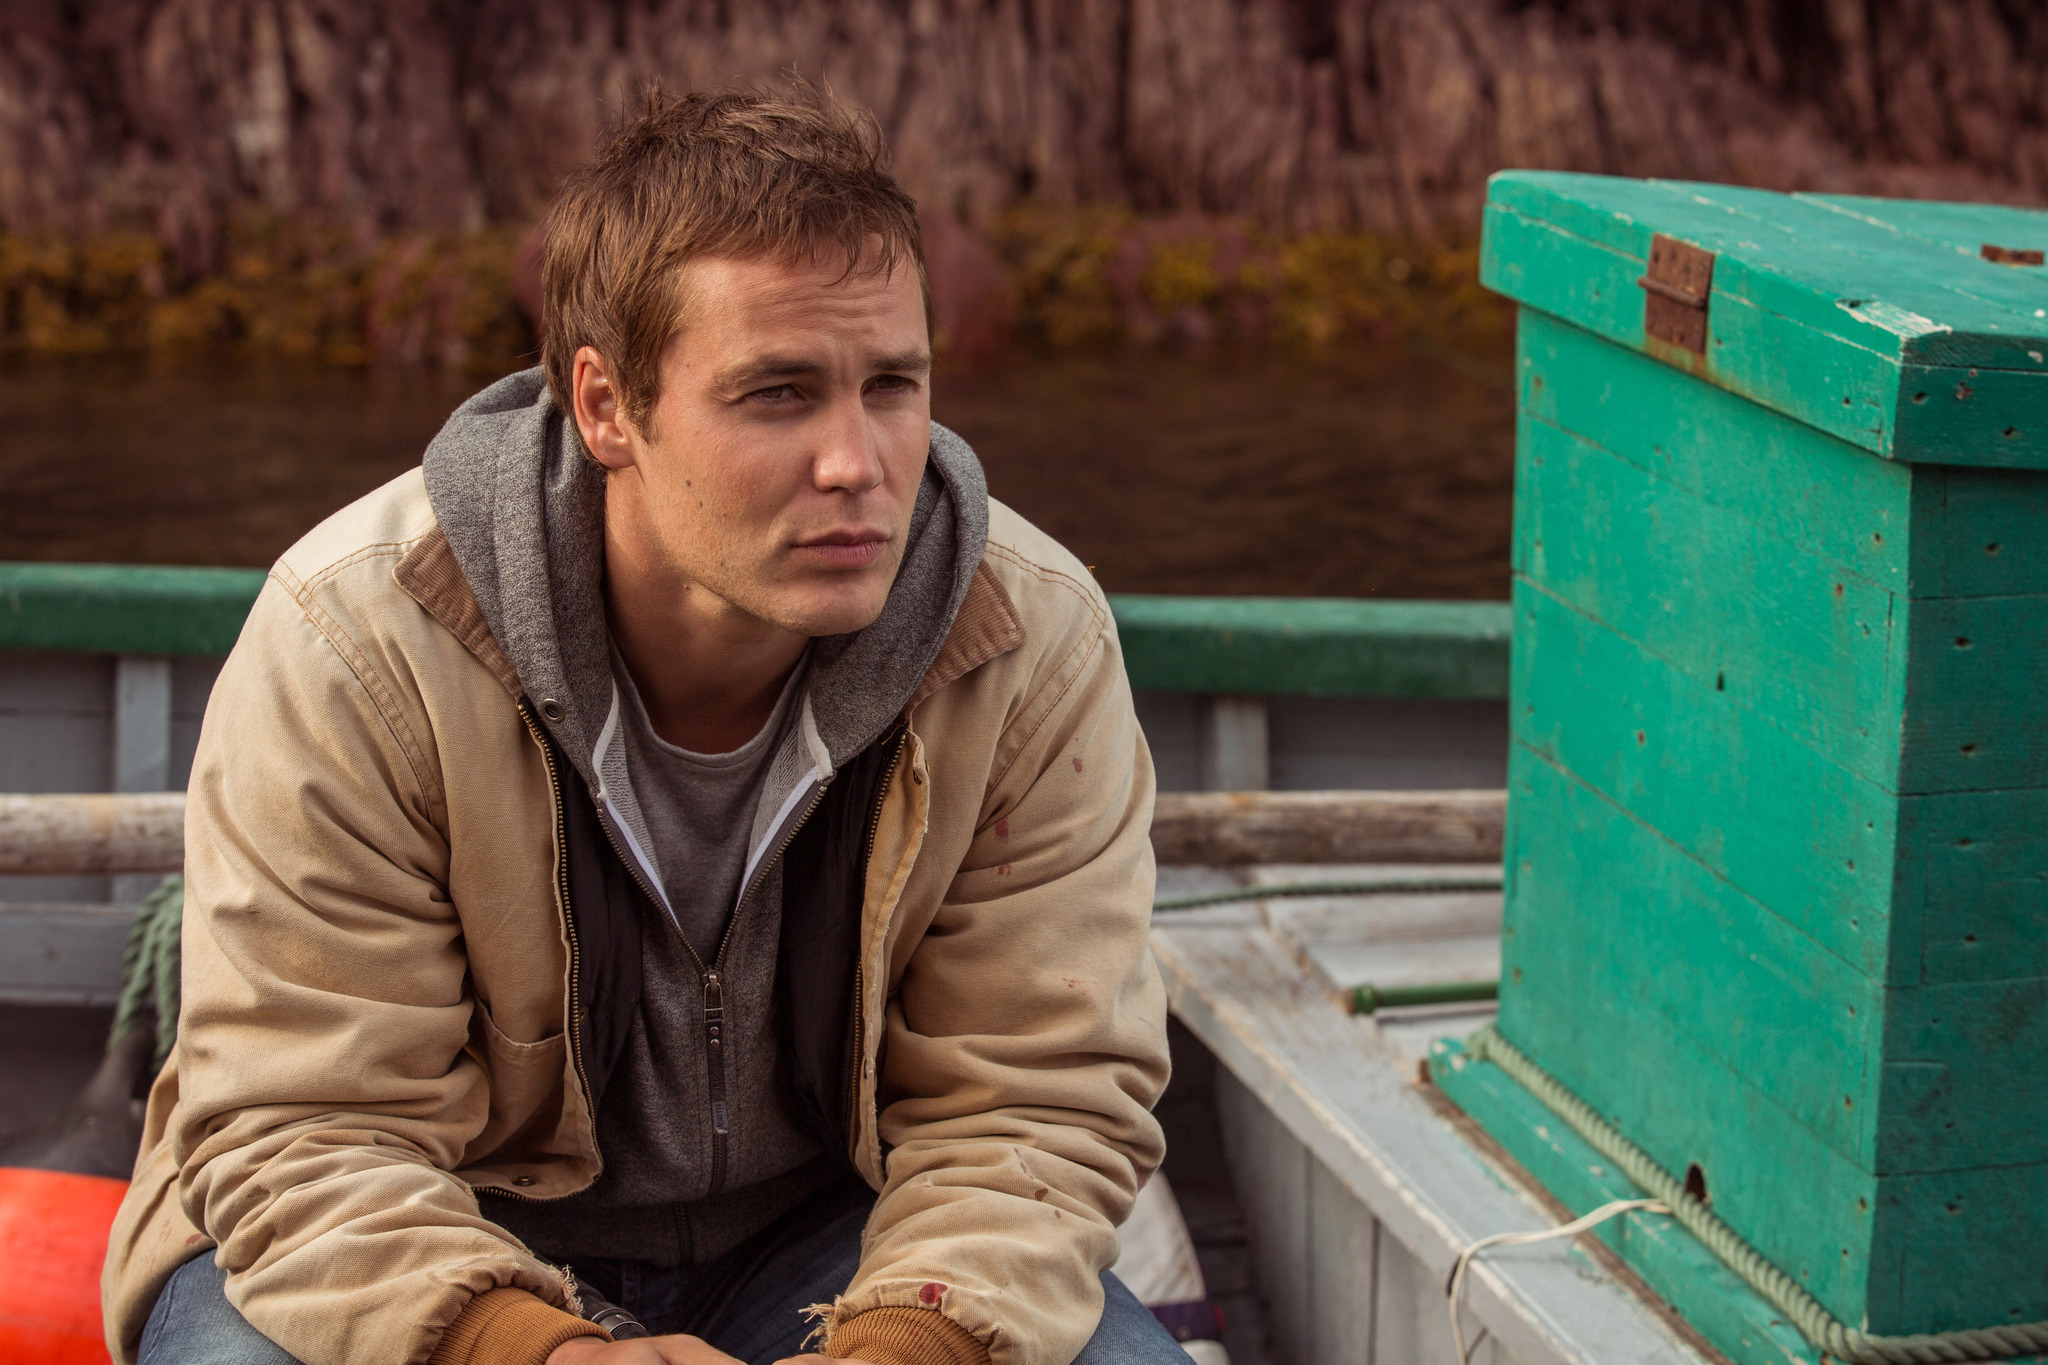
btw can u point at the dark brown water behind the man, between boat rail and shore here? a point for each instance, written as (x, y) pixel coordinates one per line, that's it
(1371, 474)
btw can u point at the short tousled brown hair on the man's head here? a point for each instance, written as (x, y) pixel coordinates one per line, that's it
(708, 175)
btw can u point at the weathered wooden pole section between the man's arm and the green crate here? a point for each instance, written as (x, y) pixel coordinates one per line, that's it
(1328, 828)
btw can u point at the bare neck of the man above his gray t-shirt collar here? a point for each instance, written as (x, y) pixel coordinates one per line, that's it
(708, 672)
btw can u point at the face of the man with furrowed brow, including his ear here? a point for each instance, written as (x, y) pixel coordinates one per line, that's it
(783, 455)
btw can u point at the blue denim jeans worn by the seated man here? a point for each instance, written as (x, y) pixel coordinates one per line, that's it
(749, 1303)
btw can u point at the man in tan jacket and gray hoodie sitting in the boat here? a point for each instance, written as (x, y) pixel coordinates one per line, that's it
(681, 848)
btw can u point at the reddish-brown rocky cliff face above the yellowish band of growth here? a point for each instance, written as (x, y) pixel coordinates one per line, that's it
(1363, 116)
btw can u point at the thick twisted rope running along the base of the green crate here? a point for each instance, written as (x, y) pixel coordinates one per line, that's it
(1824, 1329)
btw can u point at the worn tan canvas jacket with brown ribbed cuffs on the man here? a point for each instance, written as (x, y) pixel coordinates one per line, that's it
(378, 977)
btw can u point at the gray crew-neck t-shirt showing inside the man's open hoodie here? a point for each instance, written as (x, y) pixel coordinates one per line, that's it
(699, 809)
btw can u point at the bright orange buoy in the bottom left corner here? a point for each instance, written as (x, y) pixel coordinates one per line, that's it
(52, 1245)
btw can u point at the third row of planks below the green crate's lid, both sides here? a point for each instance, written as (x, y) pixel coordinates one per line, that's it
(1945, 887)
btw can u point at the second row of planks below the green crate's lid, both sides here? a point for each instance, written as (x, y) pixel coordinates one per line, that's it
(1836, 658)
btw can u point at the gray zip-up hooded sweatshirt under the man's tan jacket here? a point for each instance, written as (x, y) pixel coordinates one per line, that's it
(699, 1151)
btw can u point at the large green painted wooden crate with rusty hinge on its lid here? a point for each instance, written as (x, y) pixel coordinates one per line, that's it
(1779, 793)
